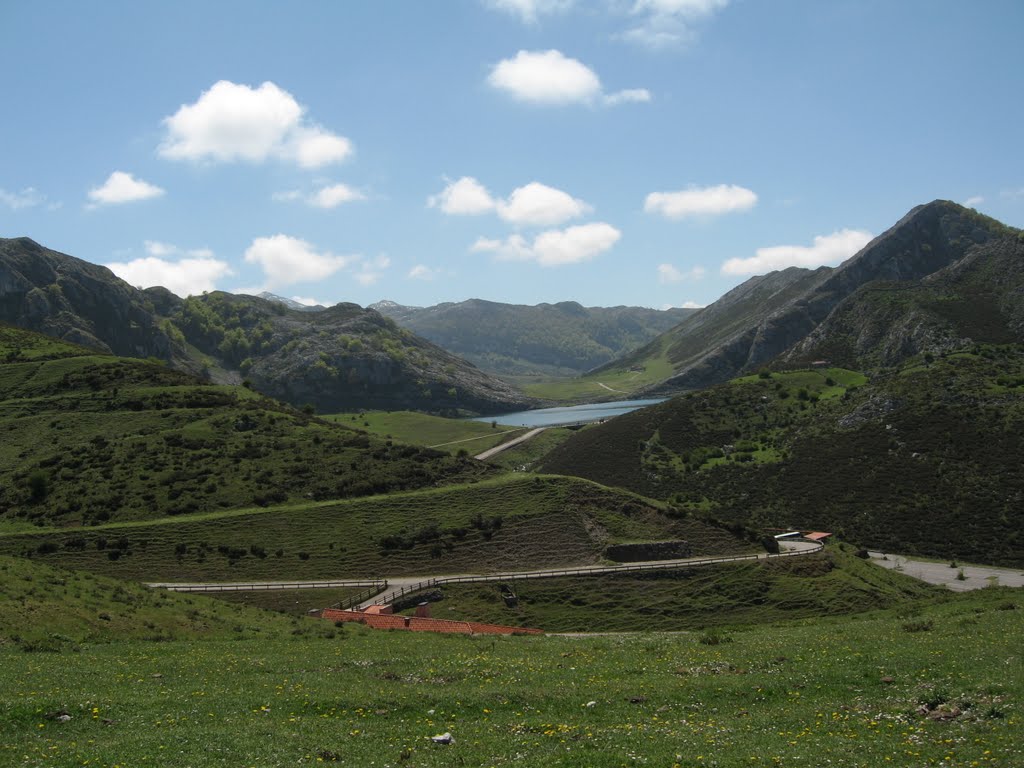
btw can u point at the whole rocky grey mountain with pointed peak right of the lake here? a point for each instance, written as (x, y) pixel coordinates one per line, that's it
(798, 315)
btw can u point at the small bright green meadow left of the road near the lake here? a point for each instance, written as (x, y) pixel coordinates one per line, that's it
(450, 436)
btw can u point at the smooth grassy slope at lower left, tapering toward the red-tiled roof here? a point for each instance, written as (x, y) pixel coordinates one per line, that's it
(48, 609)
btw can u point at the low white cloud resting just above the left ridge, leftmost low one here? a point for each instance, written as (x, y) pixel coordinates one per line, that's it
(183, 273)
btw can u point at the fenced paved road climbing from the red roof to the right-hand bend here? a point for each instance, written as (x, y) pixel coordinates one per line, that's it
(401, 585)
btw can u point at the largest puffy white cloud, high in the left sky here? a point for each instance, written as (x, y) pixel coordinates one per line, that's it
(233, 122)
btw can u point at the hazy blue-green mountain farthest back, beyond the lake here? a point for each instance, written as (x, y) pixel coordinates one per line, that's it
(564, 339)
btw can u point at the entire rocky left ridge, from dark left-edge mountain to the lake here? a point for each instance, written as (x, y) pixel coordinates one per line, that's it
(336, 359)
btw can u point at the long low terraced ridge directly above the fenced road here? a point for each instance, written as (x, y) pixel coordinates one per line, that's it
(515, 523)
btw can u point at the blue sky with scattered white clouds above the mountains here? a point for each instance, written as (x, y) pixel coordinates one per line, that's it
(614, 152)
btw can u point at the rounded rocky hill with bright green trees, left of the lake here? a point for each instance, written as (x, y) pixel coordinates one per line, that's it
(340, 359)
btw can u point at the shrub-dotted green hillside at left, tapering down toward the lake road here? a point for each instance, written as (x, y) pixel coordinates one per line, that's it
(108, 439)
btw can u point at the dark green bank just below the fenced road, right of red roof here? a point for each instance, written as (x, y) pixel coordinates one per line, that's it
(833, 583)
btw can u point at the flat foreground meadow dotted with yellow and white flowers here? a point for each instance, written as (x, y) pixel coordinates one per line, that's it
(837, 692)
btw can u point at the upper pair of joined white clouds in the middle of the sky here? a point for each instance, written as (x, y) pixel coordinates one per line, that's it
(532, 205)
